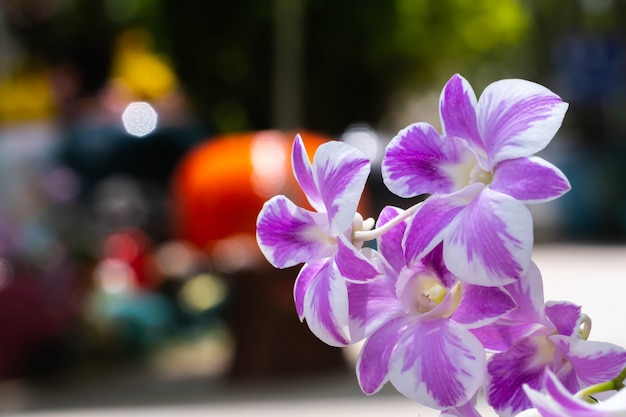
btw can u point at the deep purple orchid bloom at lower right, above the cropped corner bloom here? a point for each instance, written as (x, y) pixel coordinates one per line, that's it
(538, 338)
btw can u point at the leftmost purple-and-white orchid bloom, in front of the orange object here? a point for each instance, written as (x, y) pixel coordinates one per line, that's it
(289, 235)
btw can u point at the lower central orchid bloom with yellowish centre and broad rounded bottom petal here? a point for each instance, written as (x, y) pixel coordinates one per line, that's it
(416, 319)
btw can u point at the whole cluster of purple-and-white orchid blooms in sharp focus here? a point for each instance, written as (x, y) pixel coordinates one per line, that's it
(445, 294)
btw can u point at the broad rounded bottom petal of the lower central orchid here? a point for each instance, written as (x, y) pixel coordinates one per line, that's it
(437, 363)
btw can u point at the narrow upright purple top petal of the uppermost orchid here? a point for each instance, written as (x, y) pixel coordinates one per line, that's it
(457, 108)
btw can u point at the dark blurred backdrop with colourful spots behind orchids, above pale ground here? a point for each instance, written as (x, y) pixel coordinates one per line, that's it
(125, 256)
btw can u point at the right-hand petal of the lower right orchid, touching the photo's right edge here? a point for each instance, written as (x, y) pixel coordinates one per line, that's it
(593, 362)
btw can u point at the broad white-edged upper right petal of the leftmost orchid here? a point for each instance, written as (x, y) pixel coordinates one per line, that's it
(340, 172)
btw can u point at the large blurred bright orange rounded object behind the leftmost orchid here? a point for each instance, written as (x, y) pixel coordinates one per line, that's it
(221, 185)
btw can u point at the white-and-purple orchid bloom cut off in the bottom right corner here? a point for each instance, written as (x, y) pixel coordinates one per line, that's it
(557, 401)
